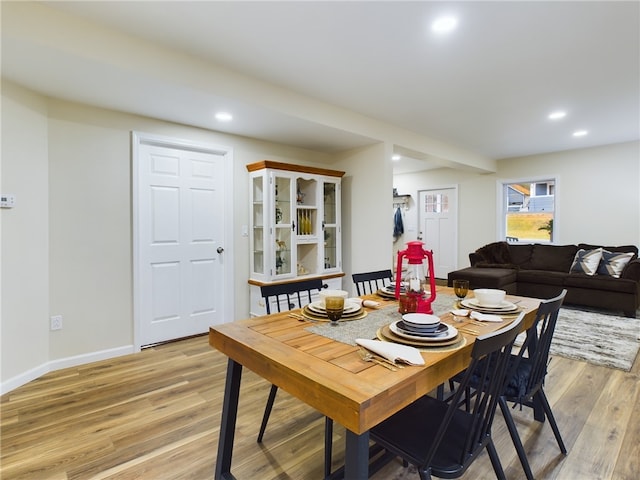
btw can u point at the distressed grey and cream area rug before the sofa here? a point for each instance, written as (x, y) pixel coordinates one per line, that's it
(594, 337)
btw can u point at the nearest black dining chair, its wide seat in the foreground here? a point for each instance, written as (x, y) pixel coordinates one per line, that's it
(437, 436)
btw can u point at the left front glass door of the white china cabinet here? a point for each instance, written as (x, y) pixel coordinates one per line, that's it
(283, 226)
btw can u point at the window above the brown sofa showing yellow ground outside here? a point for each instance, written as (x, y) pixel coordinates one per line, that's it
(527, 210)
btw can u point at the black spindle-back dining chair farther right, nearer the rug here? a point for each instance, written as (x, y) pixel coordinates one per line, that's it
(526, 373)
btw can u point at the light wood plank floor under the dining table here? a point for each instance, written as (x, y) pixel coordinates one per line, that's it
(156, 414)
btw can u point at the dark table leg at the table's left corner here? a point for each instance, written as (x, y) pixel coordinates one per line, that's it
(228, 421)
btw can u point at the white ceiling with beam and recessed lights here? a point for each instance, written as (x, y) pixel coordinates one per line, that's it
(486, 88)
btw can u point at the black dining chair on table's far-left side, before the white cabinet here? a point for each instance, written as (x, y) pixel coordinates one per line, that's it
(288, 296)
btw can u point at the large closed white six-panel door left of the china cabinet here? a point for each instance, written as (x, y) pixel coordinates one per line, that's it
(179, 281)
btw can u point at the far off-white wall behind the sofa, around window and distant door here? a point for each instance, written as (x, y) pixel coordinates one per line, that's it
(598, 199)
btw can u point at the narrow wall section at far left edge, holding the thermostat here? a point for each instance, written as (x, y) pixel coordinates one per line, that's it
(25, 238)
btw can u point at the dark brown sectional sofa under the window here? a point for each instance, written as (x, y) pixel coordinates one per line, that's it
(543, 270)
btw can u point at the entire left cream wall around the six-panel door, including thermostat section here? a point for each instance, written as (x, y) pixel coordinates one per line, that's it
(67, 246)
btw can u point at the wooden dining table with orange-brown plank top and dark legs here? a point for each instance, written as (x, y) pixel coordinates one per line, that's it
(332, 377)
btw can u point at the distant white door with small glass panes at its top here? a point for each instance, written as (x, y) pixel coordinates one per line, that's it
(438, 220)
